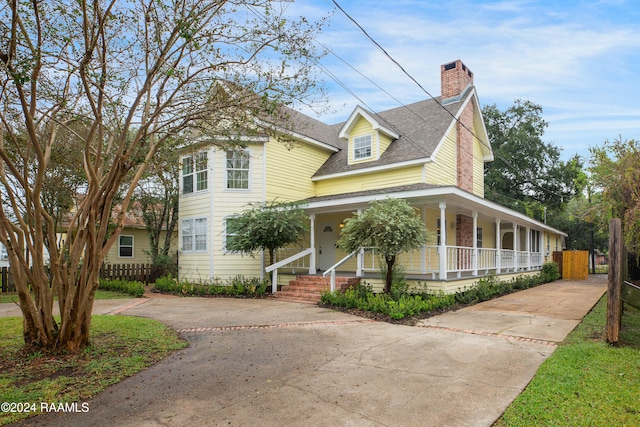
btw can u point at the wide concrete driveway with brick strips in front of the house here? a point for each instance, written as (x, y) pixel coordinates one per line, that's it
(271, 363)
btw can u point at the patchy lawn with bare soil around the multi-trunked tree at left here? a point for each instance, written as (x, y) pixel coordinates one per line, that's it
(121, 347)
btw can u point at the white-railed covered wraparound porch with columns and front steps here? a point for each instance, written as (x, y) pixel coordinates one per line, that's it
(469, 238)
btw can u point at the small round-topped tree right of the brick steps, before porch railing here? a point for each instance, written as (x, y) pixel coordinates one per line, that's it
(392, 226)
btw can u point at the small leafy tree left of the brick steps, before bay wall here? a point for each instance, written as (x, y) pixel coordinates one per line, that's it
(267, 226)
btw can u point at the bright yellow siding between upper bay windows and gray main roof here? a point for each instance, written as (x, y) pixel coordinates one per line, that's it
(289, 171)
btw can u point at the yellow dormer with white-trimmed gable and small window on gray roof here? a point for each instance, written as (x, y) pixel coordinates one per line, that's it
(366, 137)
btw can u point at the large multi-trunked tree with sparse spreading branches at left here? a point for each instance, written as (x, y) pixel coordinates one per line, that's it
(113, 81)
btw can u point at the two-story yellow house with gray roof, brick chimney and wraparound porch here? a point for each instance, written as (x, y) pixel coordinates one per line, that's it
(430, 153)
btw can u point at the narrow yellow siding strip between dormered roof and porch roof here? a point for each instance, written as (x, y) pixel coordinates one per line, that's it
(382, 179)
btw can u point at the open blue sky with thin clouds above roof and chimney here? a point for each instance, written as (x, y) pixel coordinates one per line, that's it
(579, 60)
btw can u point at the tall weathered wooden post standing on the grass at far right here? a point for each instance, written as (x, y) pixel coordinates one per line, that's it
(616, 276)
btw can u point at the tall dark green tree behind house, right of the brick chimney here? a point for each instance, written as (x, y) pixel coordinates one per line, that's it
(527, 174)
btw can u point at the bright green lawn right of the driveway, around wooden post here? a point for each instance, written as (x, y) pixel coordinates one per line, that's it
(585, 382)
